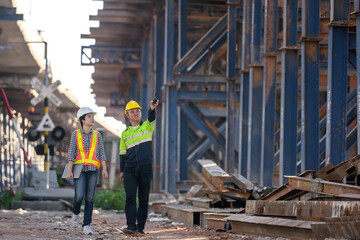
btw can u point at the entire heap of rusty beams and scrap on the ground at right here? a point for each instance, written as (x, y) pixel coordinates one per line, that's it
(315, 204)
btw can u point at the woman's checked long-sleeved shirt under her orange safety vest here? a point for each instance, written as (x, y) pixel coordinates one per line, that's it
(72, 152)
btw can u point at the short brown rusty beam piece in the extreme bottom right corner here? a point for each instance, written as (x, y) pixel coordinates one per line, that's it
(339, 230)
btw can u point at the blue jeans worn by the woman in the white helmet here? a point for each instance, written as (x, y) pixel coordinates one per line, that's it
(85, 186)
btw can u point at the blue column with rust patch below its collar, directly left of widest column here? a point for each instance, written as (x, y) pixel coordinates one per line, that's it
(310, 65)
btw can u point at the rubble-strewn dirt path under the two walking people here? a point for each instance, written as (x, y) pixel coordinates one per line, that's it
(28, 224)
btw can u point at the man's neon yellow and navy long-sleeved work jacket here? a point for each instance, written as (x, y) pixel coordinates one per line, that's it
(136, 144)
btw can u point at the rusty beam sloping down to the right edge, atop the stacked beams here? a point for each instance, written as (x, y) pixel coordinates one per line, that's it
(323, 187)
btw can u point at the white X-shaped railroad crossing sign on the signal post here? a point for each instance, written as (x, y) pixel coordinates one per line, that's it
(45, 92)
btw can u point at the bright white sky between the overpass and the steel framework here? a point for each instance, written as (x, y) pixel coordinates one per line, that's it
(61, 23)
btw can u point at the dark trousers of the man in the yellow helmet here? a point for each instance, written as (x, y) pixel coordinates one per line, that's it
(137, 180)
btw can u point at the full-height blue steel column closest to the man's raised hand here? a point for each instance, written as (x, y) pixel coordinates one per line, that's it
(170, 128)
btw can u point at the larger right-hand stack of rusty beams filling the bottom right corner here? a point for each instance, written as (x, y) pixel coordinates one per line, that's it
(313, 205)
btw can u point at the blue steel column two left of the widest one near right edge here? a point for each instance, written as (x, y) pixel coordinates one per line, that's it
(289, 92)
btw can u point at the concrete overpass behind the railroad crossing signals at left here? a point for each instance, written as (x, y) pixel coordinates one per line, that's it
(22, 59)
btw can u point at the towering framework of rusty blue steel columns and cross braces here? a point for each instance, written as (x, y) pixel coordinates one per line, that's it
(265, 88)
